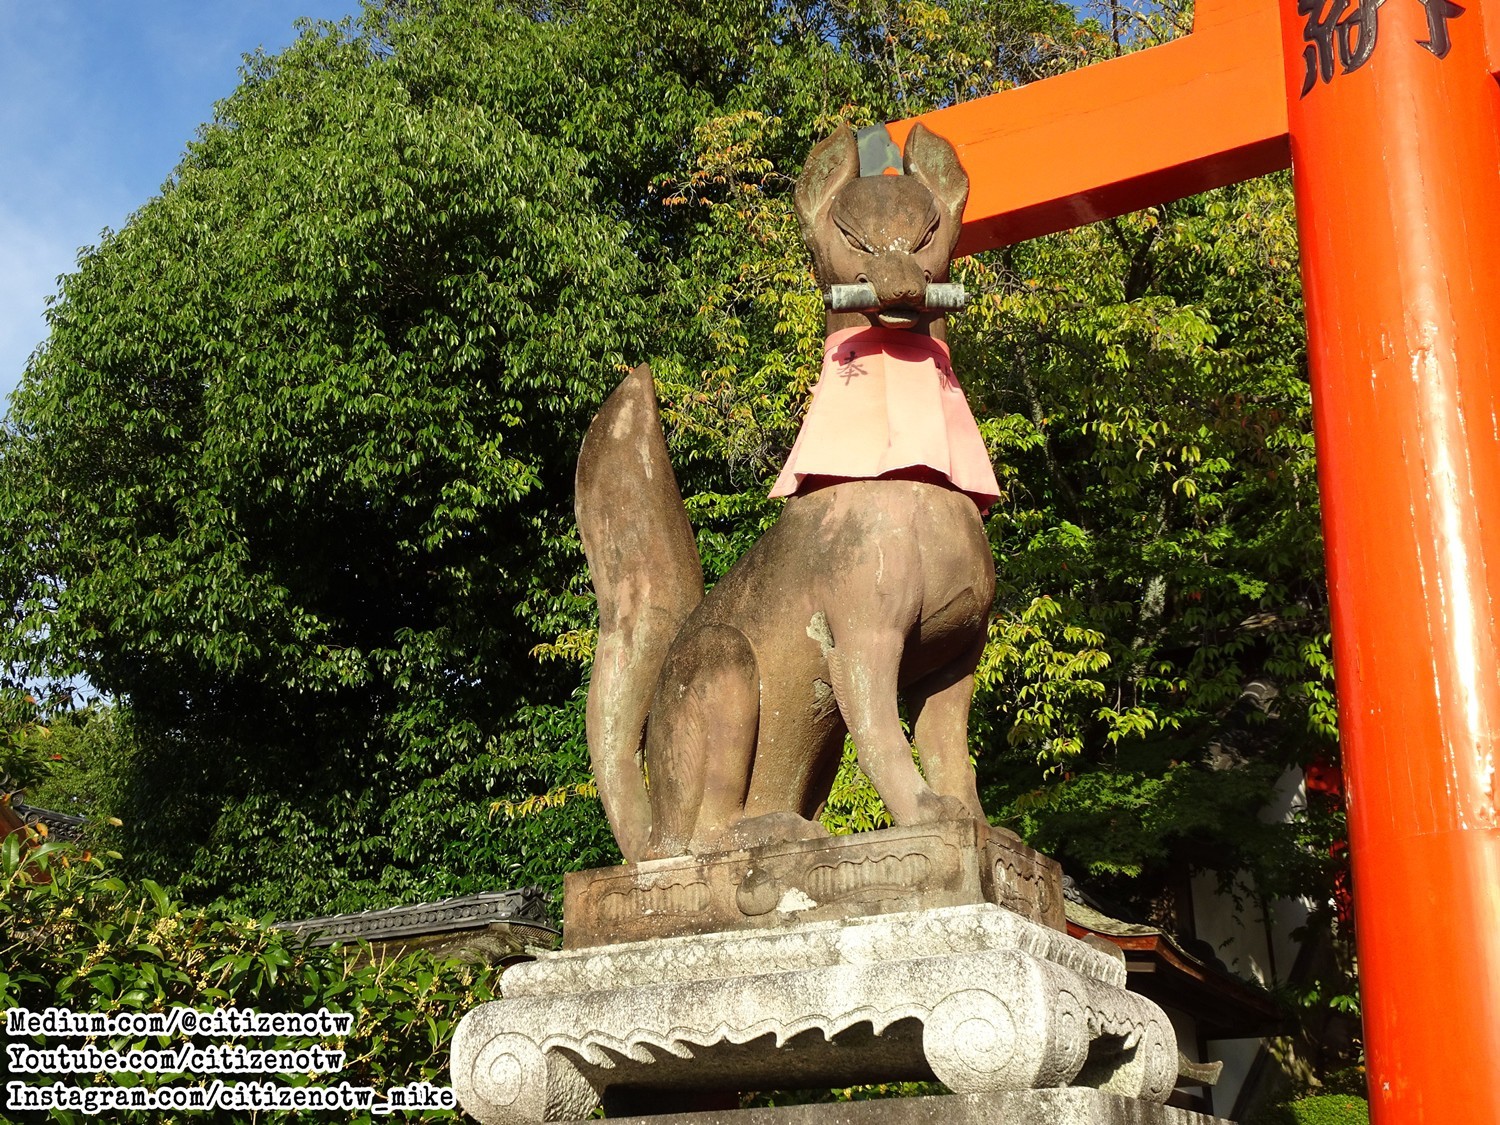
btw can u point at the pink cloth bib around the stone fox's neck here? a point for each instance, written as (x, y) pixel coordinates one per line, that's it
(889, 401)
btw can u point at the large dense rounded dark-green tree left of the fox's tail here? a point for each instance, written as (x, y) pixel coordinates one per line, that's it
(292, 472)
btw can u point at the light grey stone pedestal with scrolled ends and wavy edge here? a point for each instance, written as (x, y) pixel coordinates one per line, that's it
(973, 995)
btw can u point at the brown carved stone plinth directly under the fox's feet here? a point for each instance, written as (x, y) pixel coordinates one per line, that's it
(953, 863)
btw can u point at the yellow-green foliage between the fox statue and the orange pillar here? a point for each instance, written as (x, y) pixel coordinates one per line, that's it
(1162, 647)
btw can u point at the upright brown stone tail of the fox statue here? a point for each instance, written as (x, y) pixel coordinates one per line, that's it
(647, 575)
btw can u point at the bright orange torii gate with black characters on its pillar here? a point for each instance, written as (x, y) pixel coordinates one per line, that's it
(1388, 113)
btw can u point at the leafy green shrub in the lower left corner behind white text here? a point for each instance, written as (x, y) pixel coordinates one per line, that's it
(73, 937)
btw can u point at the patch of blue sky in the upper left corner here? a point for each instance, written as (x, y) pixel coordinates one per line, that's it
(98, 100)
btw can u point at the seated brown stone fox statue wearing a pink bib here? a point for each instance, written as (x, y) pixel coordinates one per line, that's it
(875, 581)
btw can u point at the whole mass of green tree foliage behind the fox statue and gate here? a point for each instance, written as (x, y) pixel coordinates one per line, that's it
(292, 475)
